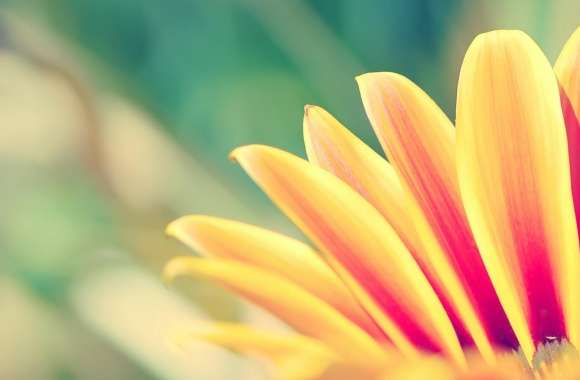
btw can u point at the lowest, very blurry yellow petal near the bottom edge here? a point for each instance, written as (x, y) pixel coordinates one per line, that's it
(295, 357)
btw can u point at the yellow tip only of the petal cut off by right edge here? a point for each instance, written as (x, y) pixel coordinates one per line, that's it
(568, 70)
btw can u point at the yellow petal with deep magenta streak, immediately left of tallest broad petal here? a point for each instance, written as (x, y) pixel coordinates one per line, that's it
(420, 143)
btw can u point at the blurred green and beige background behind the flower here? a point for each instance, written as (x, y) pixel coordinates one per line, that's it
(117, 116)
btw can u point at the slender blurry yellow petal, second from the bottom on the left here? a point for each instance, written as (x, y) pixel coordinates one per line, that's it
(303, 311)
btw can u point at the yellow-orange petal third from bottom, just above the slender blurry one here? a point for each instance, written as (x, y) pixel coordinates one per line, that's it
(273, 252)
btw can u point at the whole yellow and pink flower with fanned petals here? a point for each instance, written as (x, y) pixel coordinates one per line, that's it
(441, 262)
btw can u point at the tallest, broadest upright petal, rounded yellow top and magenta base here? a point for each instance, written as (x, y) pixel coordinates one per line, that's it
(515, 183)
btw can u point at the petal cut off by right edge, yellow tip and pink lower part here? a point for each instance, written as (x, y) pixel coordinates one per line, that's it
(567, 70)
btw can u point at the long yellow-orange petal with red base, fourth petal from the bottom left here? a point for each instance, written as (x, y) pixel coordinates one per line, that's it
(347, 227)
